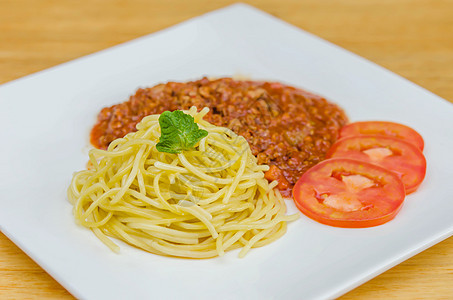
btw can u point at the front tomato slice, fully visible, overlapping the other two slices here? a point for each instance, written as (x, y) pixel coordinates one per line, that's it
(349, 193)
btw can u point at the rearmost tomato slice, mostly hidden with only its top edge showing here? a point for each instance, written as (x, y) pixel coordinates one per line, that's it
(383, 128)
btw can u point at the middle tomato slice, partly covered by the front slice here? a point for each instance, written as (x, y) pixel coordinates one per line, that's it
(391, 153)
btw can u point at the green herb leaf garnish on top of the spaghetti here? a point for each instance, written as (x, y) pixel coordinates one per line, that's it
(178, 132)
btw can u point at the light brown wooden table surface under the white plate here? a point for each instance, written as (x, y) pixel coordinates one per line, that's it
(411, 38)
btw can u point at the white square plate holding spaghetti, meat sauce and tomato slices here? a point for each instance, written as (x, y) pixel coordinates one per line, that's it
(46, 118)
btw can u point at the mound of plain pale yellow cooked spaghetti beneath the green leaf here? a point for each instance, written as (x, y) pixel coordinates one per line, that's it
(197, 204)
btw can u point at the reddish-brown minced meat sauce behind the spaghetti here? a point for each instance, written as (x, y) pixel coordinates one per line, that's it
(287, 128)
